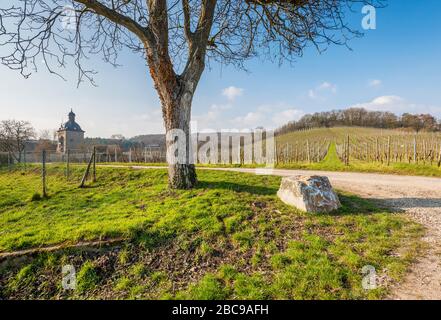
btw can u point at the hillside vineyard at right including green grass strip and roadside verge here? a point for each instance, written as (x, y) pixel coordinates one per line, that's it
(361, 150)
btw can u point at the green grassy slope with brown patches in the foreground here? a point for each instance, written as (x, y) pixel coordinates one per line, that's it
(228, 238)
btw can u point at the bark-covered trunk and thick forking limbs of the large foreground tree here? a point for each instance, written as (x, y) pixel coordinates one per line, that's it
(176, 91)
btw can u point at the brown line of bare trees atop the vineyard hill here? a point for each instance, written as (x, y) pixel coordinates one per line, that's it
(363, 118)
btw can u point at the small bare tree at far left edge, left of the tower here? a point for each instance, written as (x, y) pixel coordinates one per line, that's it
(13, 137)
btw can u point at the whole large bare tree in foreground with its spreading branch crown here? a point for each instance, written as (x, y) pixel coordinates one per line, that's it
(175, 37)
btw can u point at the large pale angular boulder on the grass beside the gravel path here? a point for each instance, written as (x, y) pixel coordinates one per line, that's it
(309, 193)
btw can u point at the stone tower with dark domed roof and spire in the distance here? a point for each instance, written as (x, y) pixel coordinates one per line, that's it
(70, 135)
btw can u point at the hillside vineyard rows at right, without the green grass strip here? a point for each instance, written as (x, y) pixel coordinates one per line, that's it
(362, 144)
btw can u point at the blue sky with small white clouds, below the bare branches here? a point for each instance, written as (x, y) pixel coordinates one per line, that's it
(395, 67)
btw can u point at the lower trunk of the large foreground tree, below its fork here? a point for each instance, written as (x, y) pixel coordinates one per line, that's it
(181, 169)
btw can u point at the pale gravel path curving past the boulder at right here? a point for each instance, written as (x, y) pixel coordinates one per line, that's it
(419, 197)
